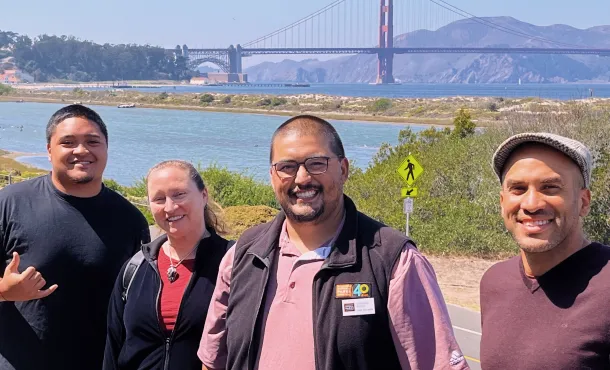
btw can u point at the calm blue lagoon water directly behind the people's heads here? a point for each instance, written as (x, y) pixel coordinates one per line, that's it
(140, 138)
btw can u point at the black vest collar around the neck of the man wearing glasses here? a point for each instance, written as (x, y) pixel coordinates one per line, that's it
(343, 254)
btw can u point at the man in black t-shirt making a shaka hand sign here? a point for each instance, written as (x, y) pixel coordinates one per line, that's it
(63, 237)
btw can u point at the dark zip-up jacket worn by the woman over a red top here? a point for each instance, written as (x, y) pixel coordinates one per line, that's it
(136, 339)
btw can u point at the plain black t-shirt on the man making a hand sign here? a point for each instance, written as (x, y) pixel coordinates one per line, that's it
(79, 244)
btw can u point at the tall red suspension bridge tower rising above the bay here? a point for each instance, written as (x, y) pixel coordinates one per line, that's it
(386, 41)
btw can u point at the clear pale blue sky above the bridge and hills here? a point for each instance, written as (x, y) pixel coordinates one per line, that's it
(204, 23)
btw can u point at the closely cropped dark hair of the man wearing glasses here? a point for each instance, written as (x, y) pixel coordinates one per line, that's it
(309, 124)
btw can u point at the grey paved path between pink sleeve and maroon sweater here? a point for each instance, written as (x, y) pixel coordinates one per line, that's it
(467, 329)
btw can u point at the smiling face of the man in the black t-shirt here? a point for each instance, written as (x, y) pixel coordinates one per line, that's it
(78, 152)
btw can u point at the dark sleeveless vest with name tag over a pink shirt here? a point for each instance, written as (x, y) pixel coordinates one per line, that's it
(364, 253)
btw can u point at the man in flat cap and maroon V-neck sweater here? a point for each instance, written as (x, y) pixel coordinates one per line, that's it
(547, 308)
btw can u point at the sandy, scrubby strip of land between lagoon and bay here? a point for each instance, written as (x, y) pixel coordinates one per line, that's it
(485, 111)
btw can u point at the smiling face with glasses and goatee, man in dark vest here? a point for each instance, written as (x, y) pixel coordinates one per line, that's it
(306, 197)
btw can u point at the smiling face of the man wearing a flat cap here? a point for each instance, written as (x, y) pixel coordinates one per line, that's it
(542, 199)
